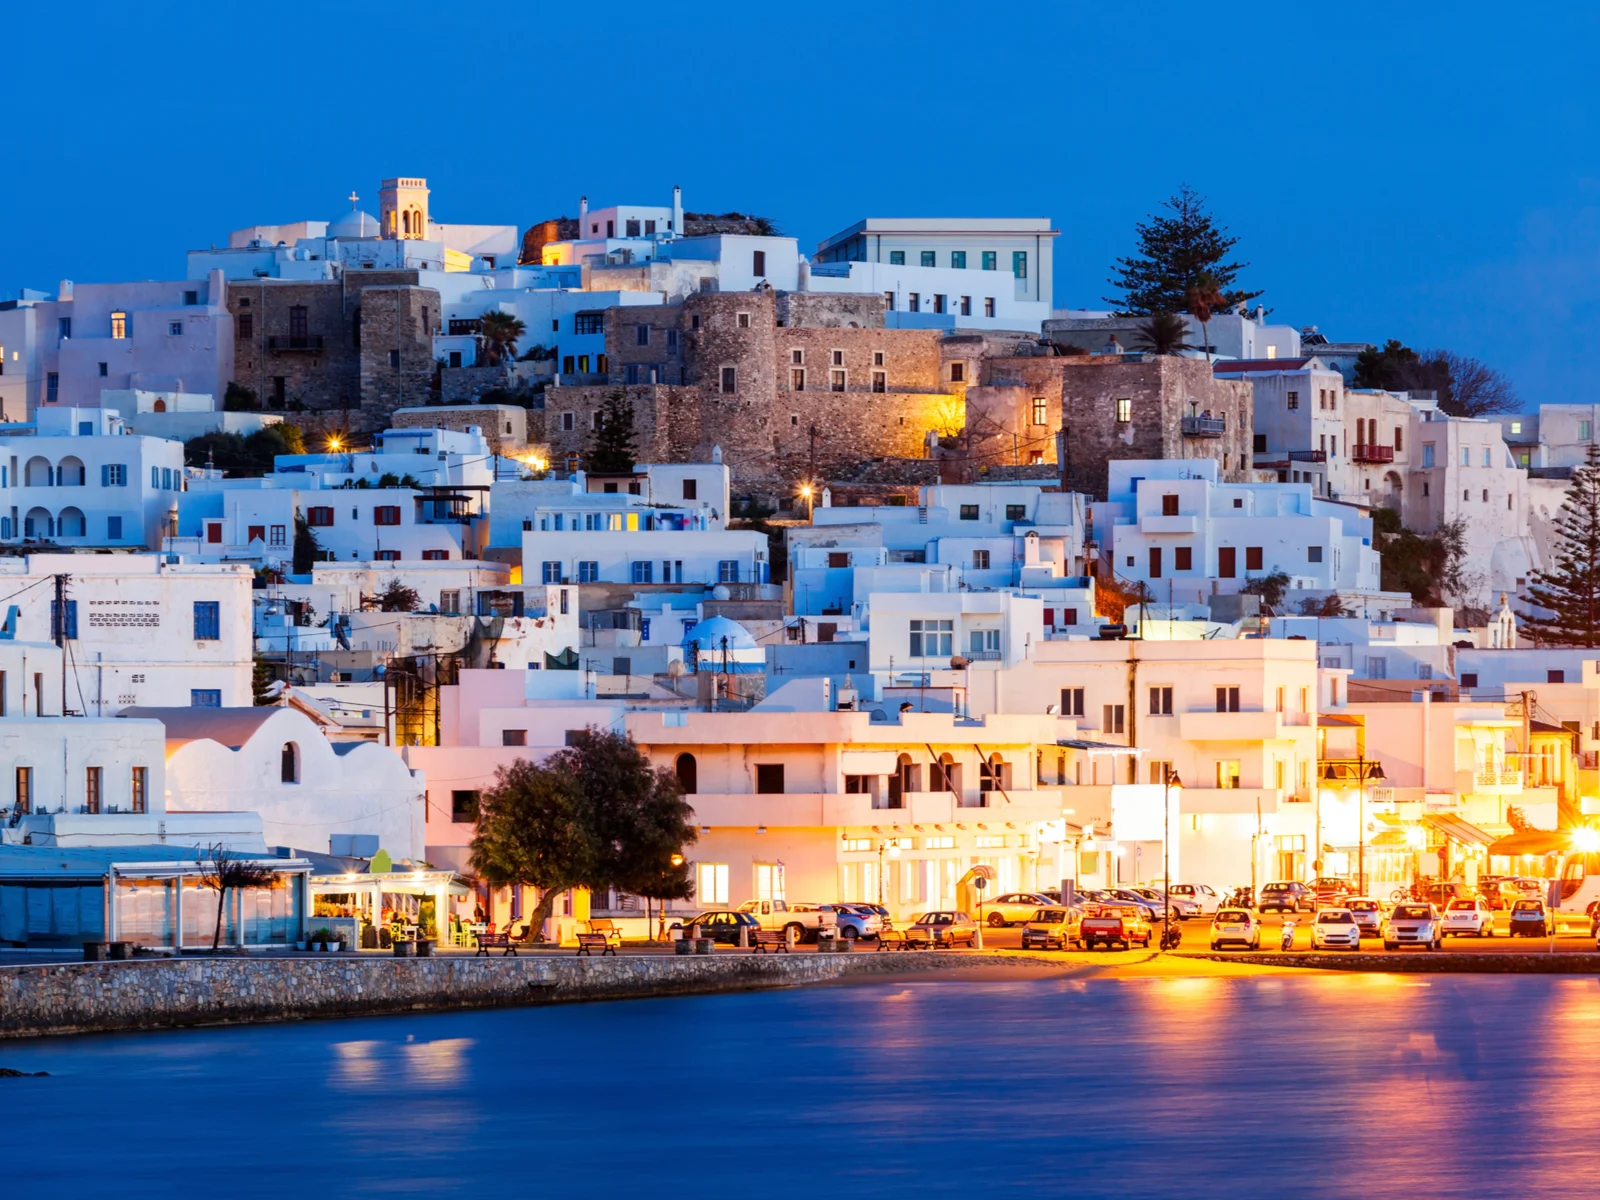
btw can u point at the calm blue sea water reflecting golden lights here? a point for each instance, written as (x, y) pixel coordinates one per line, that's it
(1306, 1086)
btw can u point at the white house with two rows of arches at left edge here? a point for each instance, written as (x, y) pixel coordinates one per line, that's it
(79, 478)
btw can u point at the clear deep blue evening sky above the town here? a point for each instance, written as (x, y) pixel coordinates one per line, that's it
(1394, 170)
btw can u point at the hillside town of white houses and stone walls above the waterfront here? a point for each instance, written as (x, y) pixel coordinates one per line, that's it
(903, 590)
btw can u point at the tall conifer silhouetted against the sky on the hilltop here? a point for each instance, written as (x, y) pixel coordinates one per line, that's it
(1175, 252)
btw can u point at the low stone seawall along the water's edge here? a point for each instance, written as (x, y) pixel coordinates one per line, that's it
(156, 994)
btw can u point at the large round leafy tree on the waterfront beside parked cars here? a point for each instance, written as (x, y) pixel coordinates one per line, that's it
(594, 814)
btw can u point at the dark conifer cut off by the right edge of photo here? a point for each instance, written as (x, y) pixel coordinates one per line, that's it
(1570, 593)
